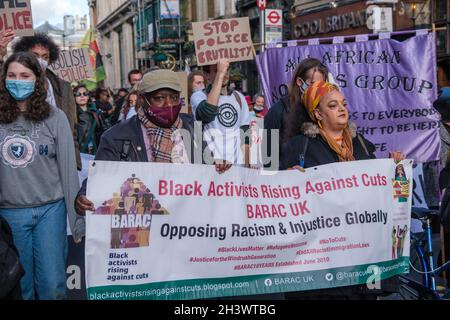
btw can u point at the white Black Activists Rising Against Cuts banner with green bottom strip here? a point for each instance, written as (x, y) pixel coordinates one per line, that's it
(163, 231)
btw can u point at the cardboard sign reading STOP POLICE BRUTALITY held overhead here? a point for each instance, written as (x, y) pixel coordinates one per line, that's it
(218, 39)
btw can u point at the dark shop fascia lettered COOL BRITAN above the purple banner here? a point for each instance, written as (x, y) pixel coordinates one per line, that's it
(322, 19)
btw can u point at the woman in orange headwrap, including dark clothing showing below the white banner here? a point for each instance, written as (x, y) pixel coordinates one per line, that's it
(328, 138)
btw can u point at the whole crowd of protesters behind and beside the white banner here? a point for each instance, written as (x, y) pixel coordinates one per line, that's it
(141, 124)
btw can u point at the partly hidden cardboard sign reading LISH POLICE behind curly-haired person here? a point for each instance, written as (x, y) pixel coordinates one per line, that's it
(73, 65)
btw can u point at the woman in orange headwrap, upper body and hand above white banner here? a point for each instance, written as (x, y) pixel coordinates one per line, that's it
(330, 136)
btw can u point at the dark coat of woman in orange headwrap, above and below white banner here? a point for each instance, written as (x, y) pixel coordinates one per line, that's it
(318, 152)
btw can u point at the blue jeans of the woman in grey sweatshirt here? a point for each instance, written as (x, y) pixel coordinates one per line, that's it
(40, 236)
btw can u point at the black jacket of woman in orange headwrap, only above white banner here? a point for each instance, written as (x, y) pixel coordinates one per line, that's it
(318, 152)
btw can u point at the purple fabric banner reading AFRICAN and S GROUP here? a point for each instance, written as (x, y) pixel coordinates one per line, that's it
(390, 87)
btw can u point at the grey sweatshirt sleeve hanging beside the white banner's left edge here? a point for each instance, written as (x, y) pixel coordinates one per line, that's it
(65, 153)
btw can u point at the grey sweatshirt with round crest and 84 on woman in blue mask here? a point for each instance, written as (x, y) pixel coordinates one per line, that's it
(38, 166)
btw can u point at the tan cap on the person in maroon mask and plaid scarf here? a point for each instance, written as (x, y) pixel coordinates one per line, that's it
(159, 79)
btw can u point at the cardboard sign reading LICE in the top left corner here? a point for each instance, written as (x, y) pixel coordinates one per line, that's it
(16, 15)
